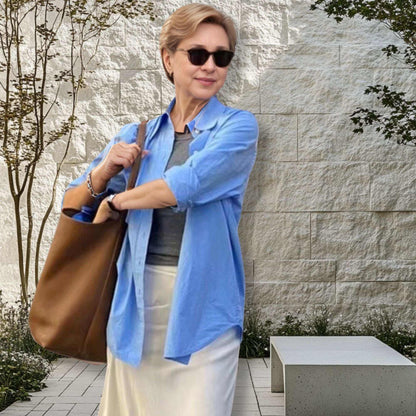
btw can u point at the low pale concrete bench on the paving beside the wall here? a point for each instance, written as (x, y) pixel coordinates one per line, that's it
(342, 376)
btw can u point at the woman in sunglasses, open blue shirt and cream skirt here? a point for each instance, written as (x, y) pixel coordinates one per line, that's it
(176, 319)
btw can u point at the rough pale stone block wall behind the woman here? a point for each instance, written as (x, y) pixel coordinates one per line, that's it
(328, 216)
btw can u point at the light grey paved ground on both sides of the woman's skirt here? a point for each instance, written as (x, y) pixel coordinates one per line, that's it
(75, 387)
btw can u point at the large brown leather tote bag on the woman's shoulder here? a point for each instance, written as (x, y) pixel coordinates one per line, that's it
(72, 301)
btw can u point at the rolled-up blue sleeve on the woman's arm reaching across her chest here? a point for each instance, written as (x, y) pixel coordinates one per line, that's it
(221, 169)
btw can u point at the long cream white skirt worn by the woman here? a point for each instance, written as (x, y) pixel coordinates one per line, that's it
(161, 387)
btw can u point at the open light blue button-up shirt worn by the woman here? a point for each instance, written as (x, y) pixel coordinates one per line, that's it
(209, 292)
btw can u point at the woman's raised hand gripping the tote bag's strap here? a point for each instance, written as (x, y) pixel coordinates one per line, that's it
(120, 156)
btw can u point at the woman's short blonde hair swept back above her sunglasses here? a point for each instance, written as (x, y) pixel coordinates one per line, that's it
(184, 22)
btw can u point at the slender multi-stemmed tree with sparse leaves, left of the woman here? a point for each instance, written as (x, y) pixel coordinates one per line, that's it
(39, 62)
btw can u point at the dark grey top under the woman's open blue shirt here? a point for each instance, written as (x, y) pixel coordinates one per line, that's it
(167, 226)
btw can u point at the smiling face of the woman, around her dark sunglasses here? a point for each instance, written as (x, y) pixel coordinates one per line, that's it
(204, 81)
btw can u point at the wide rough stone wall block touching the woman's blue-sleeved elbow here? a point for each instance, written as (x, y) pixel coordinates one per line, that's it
(287, 186)
